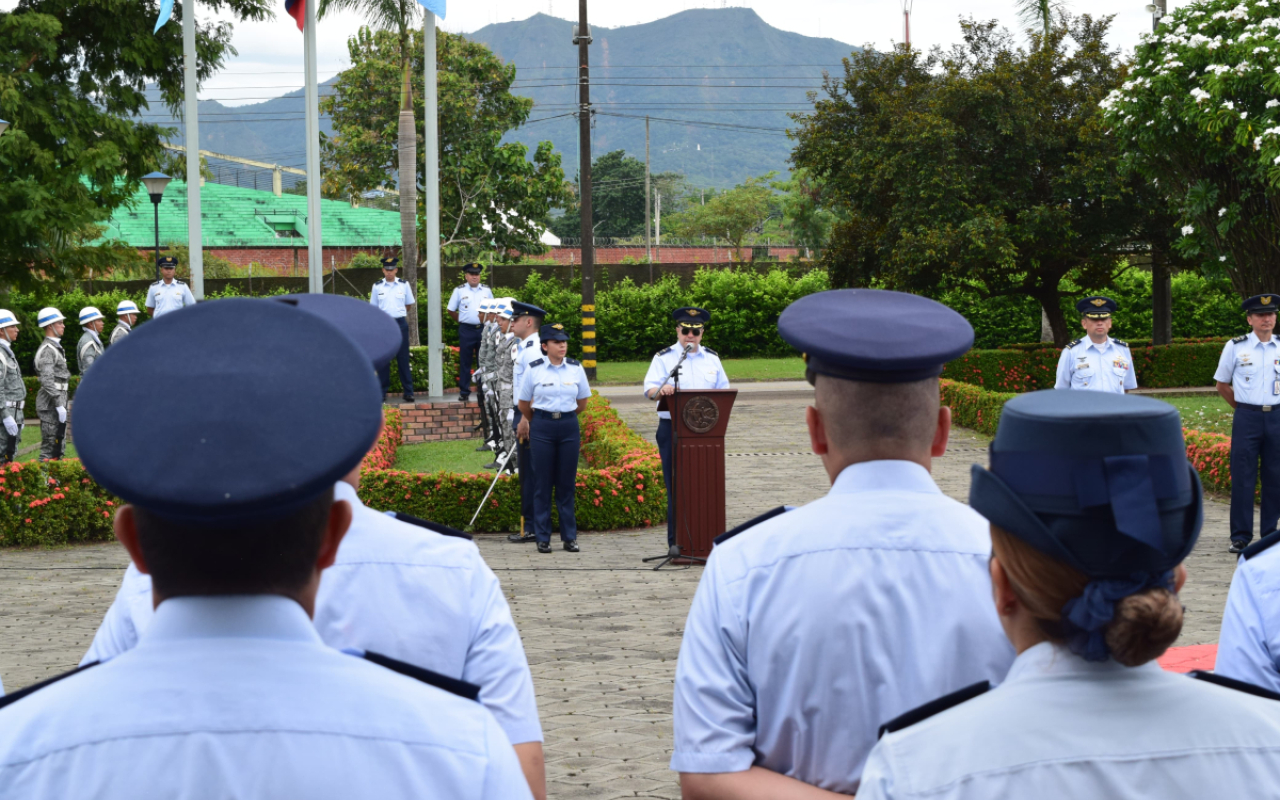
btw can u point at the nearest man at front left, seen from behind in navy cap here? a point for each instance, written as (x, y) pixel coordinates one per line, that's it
(234, 515)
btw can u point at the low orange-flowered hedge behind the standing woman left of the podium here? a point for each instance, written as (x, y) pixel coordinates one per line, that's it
(621, 490)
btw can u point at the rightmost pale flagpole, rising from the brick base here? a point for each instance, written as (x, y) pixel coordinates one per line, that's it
(431, 148)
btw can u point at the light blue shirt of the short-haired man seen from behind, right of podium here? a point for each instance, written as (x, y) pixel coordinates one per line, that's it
(815, 628)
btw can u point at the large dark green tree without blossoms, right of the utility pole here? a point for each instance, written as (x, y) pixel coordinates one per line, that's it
(986, 168)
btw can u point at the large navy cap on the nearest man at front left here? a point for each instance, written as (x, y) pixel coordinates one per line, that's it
(250, 424)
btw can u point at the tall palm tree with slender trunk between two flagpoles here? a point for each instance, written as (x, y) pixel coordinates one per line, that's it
(399, 17)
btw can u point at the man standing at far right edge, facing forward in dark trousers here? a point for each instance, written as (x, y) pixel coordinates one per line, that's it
(1249, 380)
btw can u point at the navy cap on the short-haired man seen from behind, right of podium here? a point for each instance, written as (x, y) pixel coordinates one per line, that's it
(875, 336)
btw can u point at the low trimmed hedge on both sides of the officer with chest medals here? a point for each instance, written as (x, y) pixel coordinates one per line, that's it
(1027, 371)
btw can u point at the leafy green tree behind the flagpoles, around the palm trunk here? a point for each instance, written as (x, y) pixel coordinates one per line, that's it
(492, 196)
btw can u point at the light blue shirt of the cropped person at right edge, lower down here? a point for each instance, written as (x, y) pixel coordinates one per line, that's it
(1249, 646)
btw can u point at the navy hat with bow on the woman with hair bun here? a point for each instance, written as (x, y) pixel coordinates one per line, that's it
(1096, 481)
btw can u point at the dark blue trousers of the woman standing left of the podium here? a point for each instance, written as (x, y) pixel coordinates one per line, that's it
(556, 449)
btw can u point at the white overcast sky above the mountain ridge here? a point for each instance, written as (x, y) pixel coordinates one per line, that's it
(271, 53)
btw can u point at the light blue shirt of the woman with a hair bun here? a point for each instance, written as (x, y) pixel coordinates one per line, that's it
(1064, 728)
